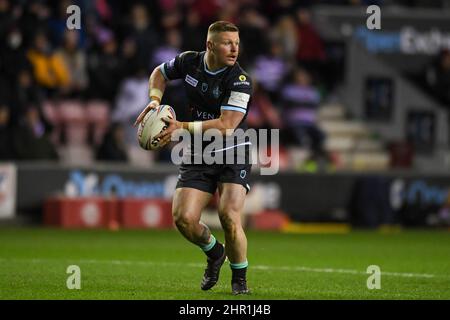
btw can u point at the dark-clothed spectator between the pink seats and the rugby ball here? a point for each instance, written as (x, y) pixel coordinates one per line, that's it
(113, 146)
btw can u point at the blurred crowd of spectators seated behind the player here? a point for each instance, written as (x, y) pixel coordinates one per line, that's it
(120, 42)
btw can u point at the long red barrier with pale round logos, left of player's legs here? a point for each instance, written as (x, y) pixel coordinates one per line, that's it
(98, 212)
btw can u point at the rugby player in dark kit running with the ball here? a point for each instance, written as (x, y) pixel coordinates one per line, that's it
(218, 92)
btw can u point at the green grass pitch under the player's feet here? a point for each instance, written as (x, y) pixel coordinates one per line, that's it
(150, 264)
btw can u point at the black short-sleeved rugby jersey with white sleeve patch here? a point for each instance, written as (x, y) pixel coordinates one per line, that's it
(210, 92)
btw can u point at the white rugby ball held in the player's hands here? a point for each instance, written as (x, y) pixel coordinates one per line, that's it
(152, 124)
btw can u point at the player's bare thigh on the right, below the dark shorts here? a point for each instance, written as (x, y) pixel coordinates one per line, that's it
(232, 199)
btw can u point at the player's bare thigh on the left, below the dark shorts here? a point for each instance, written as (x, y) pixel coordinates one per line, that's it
(188, 203)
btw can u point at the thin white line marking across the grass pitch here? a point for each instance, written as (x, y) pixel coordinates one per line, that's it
(257, 267)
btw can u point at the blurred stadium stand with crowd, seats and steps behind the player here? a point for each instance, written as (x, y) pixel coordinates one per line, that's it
(374, 105)
